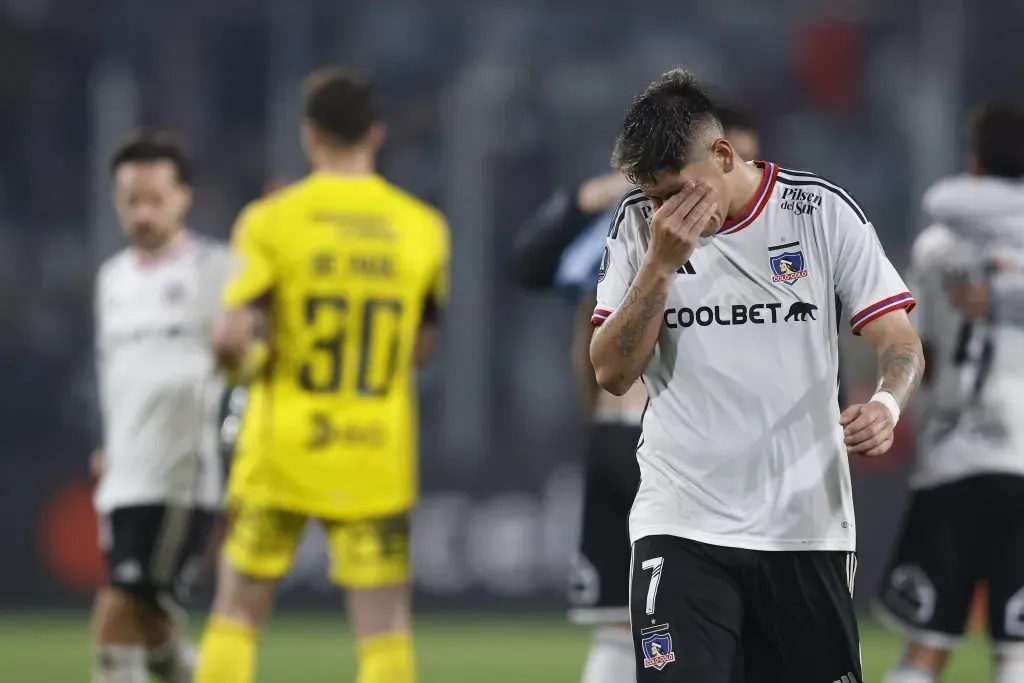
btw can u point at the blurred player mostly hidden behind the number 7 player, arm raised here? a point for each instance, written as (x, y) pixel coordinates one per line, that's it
(562, 249)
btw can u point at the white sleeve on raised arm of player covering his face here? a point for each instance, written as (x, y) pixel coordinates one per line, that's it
(623, 253)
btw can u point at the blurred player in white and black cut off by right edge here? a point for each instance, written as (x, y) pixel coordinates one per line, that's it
(965, 524)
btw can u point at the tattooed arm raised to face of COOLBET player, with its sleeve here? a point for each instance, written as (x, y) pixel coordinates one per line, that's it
(625, 339)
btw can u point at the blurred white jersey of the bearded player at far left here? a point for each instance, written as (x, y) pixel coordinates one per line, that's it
(159, 388)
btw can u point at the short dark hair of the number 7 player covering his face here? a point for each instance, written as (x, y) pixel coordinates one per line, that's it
(667, 126)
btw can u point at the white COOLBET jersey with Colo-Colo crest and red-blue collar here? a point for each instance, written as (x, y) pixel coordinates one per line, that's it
(742, 443)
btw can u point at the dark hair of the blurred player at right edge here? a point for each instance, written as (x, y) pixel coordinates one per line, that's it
(996, 137)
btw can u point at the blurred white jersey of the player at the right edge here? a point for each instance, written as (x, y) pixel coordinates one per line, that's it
(973, 417)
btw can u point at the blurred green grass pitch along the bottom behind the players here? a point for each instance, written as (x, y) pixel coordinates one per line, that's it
(55, 649)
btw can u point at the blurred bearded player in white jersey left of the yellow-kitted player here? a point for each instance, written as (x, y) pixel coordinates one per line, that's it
(160, 477)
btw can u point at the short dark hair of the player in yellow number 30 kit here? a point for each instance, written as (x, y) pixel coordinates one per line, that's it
(340, 105)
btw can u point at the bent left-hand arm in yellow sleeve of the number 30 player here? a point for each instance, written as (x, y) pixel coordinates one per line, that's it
(238, 334)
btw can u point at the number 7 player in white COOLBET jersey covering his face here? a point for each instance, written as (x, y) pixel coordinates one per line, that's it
(719, 290)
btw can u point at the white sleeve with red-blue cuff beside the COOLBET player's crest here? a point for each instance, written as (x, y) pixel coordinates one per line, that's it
(867, 282)
